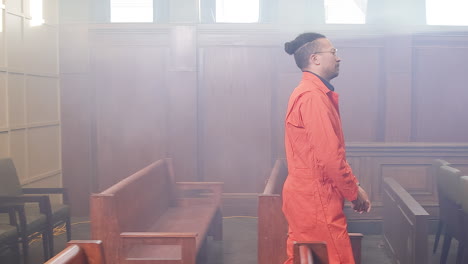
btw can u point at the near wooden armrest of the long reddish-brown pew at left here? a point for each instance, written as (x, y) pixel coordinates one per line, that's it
(186, 241)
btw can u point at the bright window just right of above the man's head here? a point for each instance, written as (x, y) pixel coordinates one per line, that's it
(345, 11)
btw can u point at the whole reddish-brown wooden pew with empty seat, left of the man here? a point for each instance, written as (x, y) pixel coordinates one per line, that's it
(151, 218)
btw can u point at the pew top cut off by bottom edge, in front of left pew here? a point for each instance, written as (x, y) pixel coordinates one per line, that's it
(80, 252)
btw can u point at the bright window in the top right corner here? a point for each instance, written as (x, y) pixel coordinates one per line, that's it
(447, 12)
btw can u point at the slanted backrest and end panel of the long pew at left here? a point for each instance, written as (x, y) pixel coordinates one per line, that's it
(132, 204)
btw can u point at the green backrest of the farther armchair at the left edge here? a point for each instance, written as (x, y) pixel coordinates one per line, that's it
(10, 183)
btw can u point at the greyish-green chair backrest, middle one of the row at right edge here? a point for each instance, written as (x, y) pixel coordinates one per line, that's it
(450, 182)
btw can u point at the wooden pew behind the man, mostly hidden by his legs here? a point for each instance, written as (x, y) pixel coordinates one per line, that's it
(272, 225)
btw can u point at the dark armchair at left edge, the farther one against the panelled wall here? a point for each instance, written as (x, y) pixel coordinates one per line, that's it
(35, 212)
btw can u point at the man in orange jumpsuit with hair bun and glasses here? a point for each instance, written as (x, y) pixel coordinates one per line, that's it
(319, 177)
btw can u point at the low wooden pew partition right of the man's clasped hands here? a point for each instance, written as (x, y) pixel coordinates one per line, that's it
(405, 225)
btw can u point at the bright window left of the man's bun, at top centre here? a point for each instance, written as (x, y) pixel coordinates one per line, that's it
(237, 11)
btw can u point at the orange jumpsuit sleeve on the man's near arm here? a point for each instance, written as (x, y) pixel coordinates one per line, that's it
(323, 133)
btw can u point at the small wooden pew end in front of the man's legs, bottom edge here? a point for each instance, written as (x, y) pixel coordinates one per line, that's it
(310, 253)
